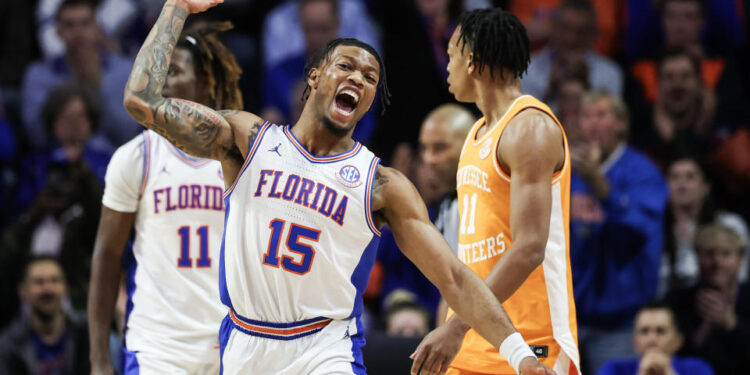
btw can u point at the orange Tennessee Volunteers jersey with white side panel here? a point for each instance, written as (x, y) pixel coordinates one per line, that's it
(542, 309)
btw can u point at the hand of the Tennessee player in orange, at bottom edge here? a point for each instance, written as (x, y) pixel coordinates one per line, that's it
(437, 350)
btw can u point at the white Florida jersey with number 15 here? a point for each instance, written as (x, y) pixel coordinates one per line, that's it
(299, 239)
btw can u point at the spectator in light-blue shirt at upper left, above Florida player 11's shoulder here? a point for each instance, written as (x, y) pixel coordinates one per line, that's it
(85, 62)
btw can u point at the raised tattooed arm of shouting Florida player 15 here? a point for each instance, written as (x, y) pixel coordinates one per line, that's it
(194, 128)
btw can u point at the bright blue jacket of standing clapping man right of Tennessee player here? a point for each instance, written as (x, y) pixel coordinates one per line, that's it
(615, 242)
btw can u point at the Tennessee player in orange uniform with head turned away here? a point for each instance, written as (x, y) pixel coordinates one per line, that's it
(513, 185)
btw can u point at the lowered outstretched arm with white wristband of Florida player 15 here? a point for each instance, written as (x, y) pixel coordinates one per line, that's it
(397, 203)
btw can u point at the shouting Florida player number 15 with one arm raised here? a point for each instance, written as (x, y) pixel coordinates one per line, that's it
(303, 210)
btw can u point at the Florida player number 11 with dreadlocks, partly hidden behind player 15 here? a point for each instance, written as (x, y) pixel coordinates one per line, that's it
(174, 201)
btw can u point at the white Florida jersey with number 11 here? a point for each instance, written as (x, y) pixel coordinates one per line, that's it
(174, 305)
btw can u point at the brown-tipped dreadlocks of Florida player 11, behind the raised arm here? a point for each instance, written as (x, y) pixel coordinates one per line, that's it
(214, 62)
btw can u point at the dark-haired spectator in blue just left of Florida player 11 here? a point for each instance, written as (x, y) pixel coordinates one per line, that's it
(60, 197)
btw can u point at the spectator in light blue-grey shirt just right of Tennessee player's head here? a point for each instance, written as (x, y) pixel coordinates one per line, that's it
(573, 32)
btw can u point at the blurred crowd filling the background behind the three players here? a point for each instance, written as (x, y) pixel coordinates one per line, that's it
(653, 95)
